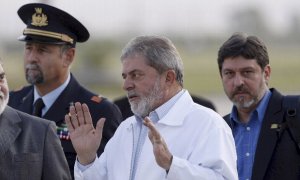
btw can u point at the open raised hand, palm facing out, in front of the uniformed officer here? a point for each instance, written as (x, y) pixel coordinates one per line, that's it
(85, 138)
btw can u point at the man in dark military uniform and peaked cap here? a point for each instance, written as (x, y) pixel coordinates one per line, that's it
(50, 40)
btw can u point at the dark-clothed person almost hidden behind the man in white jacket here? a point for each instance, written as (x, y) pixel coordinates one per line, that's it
(124, 105)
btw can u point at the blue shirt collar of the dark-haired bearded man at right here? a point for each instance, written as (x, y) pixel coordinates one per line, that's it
(260, 109)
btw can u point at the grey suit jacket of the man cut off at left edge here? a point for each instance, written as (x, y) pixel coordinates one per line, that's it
(30, 148)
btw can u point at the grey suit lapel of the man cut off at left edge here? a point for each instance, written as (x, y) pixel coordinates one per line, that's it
(10, 129)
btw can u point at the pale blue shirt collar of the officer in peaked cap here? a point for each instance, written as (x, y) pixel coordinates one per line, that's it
(51, 96)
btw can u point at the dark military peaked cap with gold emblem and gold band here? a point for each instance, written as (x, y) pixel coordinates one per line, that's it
(50, 25)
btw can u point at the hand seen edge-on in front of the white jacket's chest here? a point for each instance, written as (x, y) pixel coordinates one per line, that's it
(162, 155)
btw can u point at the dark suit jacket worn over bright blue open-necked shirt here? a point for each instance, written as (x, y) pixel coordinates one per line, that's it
(277, 156)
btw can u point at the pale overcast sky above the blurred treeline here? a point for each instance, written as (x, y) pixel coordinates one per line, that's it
(151, 16)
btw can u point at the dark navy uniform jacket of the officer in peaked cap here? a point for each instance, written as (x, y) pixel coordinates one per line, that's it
(74, 92)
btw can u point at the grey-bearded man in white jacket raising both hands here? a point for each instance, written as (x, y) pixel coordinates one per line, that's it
(186, 140)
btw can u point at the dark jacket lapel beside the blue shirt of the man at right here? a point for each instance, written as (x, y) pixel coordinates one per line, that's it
(268, 136)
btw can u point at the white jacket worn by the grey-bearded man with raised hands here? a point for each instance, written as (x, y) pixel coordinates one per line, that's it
(199, 139)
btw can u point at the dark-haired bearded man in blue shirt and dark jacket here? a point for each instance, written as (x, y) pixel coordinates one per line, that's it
(265, 148)
